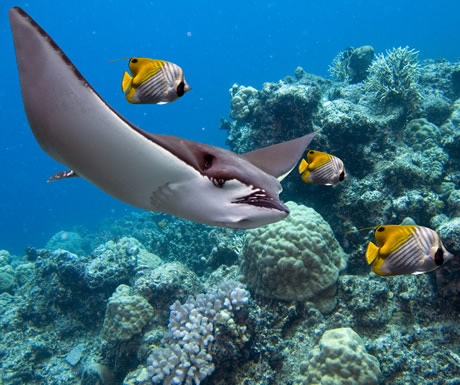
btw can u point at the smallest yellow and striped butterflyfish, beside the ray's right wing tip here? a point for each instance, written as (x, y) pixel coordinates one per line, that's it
(322, 168)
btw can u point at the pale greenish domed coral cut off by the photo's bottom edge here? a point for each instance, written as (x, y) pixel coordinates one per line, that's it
(341, 358)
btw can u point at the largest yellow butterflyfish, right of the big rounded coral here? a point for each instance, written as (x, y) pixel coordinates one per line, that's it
(406, 249)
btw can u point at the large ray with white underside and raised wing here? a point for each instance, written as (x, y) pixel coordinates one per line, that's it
(191, 180)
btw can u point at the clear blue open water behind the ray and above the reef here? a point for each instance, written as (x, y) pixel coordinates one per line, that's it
(216, 43)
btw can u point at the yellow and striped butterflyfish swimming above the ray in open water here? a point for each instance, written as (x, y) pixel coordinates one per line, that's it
(153, 81)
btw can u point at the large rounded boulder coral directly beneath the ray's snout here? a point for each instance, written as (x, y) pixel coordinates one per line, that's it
(294, 259)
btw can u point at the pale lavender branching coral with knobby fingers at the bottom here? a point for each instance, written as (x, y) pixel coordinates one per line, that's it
(187, 359)
